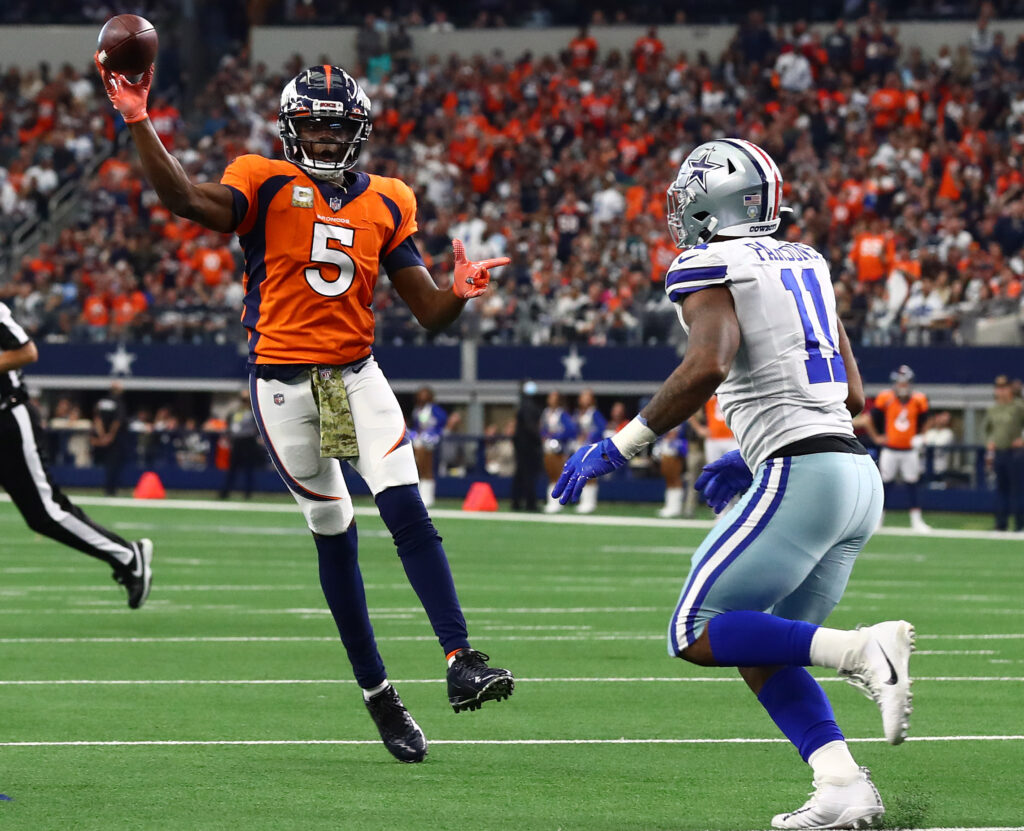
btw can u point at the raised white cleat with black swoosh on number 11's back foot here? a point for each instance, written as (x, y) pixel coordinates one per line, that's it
(881, 670)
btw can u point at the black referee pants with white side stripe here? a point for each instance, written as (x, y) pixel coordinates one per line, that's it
(24, 474)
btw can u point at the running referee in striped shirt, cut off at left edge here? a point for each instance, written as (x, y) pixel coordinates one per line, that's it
(25, 476)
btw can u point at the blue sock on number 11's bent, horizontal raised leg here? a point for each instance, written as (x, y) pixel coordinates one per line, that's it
(756, 639)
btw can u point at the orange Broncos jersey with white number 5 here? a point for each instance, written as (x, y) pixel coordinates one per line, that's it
(313, 252)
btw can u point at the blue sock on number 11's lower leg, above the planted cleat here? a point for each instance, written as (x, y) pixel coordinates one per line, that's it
(800, 709)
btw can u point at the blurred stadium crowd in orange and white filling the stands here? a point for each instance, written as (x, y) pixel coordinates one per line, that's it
(905, 170)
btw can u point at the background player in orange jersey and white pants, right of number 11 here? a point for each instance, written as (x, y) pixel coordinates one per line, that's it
(899, 418)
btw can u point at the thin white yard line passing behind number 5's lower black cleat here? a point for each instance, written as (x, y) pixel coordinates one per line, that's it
(472, 742)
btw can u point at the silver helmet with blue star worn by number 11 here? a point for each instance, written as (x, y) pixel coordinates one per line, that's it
(726, 188)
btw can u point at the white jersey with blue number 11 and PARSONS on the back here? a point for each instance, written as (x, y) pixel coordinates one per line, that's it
(788, 381)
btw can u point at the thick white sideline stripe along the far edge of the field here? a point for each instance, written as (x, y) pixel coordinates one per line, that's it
(498, 516)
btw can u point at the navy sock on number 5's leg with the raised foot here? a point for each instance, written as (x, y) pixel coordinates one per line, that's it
(425, 563)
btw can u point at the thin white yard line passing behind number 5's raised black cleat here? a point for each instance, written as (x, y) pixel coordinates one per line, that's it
(407, 682)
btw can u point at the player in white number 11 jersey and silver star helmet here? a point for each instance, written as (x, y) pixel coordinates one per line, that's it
(760, 316)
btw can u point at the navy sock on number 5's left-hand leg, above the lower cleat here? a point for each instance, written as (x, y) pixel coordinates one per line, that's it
(343, 585)
